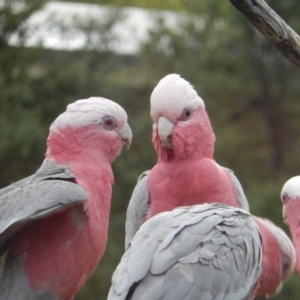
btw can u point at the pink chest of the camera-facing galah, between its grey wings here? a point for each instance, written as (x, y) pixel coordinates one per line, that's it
(184, 184)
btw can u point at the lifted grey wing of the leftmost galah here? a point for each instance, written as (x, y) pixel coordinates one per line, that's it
(38, 197)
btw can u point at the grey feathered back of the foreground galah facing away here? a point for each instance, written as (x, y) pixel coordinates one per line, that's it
(200, 252)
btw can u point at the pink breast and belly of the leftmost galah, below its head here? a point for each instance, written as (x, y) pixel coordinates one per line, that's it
(60, 237)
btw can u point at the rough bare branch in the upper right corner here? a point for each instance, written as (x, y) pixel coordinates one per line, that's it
(272, 26)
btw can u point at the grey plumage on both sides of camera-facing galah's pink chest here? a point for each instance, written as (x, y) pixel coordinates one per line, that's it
(139, 203)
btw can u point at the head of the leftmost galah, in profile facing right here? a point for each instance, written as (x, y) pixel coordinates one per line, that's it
(89, 127)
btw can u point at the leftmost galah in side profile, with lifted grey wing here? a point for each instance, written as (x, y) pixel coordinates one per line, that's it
(53, 224)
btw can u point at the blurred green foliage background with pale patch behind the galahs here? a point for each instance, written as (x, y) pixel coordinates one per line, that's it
(53, 53)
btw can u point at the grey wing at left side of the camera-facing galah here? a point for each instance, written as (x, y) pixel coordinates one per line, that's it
(138, 208)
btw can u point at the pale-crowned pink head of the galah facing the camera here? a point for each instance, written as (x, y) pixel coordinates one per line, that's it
(181, 126)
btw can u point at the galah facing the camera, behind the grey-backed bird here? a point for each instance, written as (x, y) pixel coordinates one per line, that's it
(186, 172)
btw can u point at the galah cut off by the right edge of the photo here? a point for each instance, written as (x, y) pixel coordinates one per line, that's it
(290, 197)
